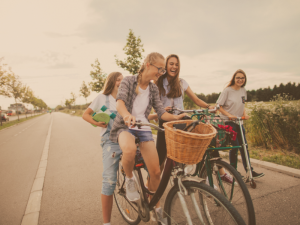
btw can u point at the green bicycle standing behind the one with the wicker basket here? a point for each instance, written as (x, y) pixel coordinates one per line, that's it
(208, 169)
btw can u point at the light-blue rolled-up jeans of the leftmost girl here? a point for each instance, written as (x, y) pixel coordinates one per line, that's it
(111, 153)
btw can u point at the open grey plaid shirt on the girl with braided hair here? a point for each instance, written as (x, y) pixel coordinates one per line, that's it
(127, 94)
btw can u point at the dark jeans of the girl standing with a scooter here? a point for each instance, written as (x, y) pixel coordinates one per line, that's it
(238, 141)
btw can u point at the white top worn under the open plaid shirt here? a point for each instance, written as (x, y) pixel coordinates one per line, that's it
(139, 108)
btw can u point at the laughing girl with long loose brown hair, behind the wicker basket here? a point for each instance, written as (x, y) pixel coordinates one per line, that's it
(171, 89)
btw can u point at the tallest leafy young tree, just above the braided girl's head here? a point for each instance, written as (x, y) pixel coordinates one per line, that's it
(133, 49)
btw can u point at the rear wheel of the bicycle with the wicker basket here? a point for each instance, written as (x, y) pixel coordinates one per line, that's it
(128, 210)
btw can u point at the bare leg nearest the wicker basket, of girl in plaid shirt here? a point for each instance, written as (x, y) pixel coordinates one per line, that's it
(150, 157)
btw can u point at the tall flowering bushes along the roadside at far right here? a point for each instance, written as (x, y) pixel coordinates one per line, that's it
(275, 125)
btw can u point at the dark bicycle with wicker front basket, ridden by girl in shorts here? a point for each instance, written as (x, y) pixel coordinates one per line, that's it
(189, 200)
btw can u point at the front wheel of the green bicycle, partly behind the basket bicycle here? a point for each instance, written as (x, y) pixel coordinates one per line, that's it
(237, 193)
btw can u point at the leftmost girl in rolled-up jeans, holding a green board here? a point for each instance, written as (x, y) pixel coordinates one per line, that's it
(111, 151)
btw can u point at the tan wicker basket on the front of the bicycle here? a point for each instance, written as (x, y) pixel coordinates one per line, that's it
(188, 147)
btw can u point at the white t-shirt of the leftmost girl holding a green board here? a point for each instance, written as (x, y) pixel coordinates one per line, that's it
(100, 101)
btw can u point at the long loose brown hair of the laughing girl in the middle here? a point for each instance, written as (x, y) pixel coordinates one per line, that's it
(175, 86)
